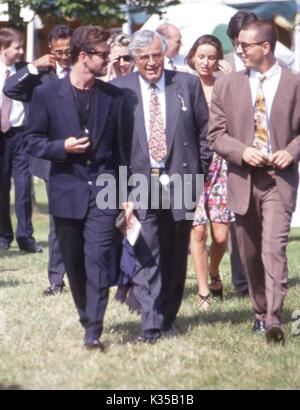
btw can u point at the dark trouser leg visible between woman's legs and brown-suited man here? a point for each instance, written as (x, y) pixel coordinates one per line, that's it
(238, 275)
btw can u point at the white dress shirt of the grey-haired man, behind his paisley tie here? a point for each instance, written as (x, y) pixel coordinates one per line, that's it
(146, 96)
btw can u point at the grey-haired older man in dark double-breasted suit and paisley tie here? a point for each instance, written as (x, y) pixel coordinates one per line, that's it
(169, 137)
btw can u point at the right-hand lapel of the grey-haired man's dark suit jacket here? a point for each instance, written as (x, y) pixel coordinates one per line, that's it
(173, 108)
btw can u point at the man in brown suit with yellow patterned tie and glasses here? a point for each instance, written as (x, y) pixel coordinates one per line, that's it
(255, 125)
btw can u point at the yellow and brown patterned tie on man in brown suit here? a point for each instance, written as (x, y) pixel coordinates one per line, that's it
(261, 134)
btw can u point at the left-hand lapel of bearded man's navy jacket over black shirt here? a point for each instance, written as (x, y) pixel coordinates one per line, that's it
(68, 107)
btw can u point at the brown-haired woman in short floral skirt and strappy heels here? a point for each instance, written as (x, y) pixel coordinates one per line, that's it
(206, 57)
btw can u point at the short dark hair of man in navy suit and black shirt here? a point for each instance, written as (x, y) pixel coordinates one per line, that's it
(86, 38)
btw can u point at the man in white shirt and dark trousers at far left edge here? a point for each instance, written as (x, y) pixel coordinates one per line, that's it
(13, 160)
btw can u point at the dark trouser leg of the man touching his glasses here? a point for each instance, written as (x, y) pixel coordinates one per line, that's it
(56, 268)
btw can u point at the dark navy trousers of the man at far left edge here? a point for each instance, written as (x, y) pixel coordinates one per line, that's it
(14, 164)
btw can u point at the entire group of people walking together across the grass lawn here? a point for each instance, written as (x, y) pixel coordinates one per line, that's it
(99, 101)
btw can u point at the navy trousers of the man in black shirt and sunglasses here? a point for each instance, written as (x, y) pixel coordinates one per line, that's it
(86, 248)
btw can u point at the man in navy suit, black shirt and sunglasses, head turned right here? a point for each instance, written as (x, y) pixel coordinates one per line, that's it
(78, 124)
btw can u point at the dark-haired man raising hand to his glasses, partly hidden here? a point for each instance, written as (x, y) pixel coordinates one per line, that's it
(56, 64)
